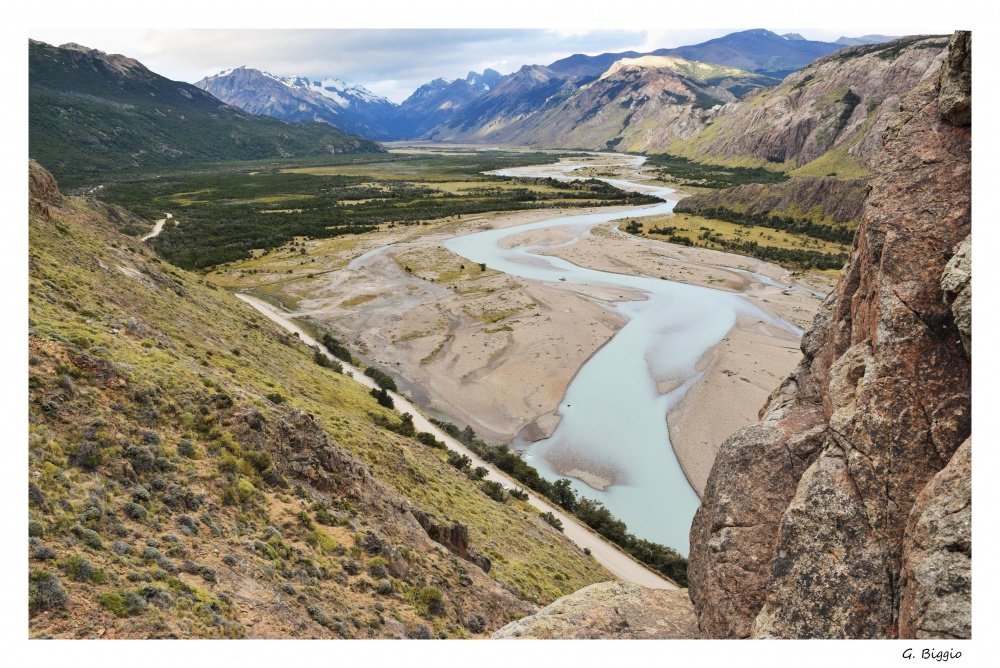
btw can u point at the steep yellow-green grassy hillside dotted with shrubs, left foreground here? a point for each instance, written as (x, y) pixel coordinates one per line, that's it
(194, 473)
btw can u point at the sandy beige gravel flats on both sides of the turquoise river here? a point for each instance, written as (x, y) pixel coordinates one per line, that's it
(498, 352)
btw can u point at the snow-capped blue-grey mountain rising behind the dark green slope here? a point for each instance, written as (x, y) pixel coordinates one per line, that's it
(353, 109)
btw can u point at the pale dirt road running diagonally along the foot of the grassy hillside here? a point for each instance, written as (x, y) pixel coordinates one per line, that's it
(614, 560)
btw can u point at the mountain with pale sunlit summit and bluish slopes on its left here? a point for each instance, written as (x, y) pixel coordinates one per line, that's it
(638, 104)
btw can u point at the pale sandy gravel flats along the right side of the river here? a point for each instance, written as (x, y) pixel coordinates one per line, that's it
(739, 373)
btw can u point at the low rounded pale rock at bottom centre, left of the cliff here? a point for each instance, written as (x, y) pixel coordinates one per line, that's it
(610, 610)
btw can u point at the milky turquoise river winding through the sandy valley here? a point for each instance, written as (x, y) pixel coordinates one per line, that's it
(613, 415)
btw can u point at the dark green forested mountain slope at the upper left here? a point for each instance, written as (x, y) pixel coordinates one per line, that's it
(90, 111)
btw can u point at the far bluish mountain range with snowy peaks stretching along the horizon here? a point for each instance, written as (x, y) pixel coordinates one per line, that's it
(482, 105)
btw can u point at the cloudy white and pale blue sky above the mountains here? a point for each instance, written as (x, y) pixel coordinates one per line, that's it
(391, 63)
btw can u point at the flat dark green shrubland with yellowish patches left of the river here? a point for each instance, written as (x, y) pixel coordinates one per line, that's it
(226, 212)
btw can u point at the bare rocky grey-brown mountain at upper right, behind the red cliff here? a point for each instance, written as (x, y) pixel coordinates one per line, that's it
(827, 119)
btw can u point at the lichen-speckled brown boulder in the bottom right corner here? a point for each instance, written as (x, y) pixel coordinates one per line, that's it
(937, 562)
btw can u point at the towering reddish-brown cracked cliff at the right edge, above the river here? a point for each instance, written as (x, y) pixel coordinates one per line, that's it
(802, 528)
